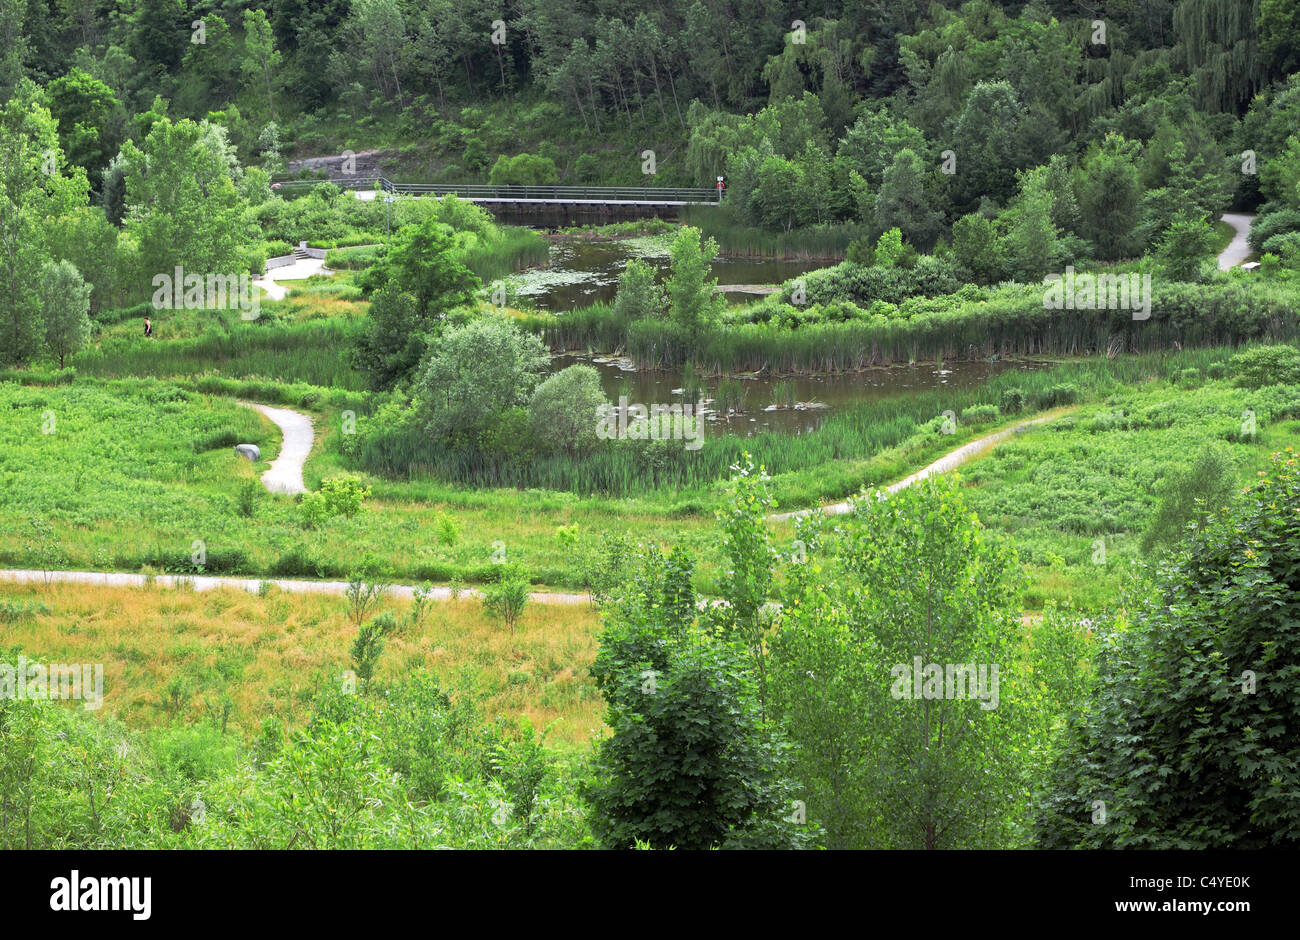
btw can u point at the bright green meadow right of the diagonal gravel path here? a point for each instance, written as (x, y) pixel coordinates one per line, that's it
(1078, 495)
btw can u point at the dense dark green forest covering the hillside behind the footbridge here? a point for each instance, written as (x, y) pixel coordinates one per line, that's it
(837, 89)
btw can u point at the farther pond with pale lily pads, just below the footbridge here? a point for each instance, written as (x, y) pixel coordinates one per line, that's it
(582, 274)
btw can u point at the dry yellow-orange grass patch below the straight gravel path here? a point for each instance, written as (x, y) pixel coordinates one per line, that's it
(267, 655)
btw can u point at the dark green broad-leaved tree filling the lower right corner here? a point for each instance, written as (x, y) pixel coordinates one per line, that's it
(1204, 756)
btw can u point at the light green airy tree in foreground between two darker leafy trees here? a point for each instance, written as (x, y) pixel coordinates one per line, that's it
(912, 578)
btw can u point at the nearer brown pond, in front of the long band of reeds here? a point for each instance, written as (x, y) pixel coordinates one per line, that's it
(829, 392)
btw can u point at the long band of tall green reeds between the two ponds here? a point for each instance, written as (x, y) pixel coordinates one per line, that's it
(1011, 322)
